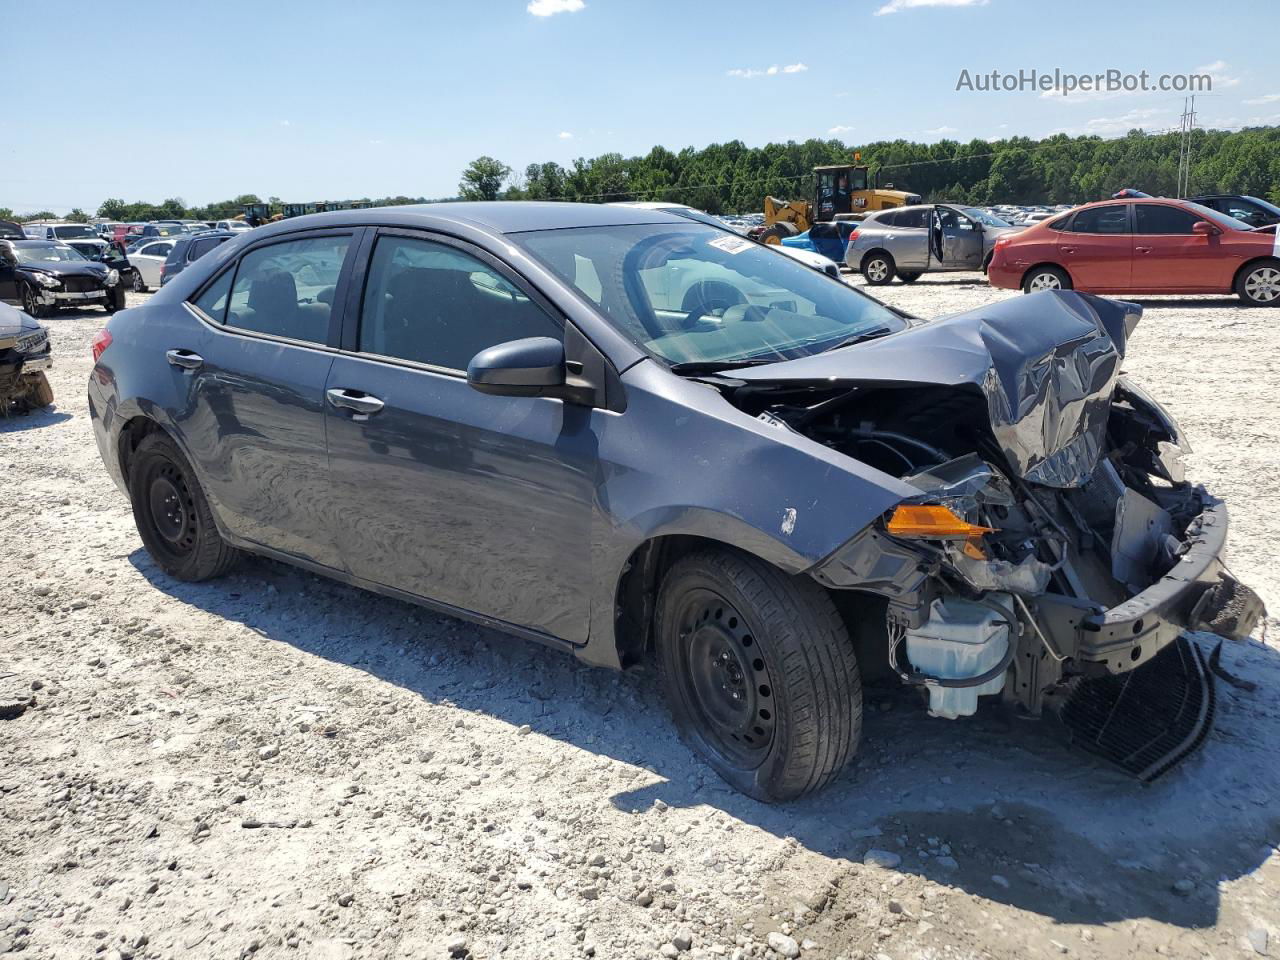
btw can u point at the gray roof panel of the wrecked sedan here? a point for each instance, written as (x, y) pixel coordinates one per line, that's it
(493, 217)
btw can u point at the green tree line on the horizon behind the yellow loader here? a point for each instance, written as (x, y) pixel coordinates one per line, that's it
(735, 179)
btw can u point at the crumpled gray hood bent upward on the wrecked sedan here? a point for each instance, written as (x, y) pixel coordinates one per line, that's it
(1048, 365)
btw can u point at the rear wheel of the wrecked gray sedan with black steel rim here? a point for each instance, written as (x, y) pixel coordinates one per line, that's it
(172, 514)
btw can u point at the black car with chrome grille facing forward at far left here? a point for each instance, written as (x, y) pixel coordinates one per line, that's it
(44, 276)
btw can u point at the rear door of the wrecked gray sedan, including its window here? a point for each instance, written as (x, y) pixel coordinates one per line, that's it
(254, 417)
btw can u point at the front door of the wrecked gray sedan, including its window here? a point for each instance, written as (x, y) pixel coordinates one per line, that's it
(474, 501)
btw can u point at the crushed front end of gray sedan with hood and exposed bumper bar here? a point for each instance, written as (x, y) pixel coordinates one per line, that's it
(1054, 545)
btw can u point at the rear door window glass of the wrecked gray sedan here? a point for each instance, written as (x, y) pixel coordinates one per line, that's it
(287, 290)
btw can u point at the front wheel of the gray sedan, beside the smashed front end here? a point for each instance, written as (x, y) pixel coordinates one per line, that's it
(760, 674)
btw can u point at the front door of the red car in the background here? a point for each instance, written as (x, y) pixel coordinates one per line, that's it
(1168, 257)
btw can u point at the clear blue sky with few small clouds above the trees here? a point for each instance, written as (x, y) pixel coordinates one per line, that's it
(332, 100)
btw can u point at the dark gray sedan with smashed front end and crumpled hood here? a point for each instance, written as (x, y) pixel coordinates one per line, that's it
(630, 436)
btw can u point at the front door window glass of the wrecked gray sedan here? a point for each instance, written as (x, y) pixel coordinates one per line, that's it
(433, 304)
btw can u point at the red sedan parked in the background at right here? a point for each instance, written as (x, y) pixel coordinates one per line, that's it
(1142, 246)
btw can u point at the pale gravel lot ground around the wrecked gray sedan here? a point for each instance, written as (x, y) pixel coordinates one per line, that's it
(282, 766)
